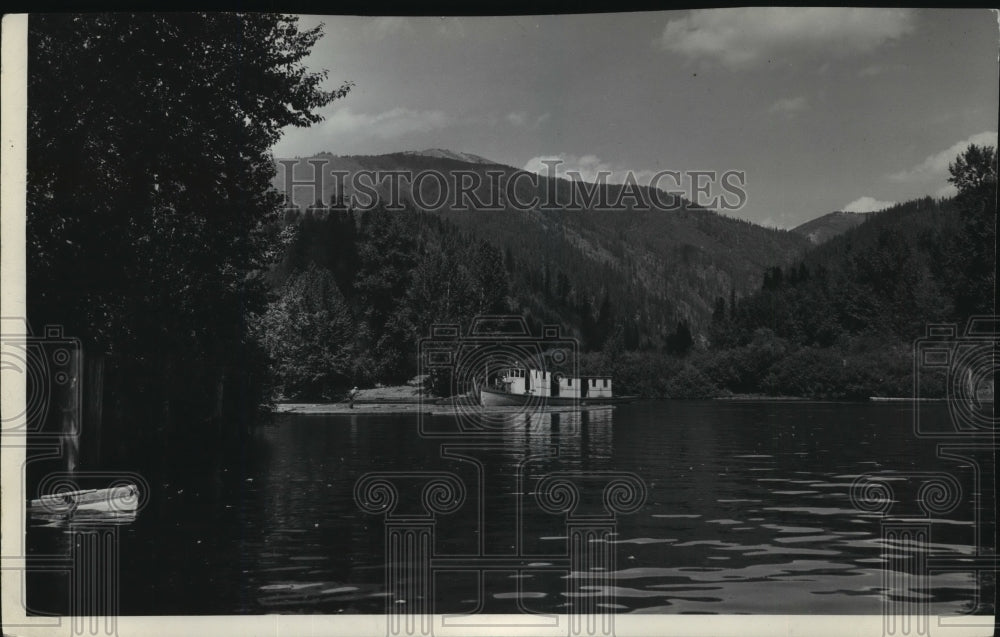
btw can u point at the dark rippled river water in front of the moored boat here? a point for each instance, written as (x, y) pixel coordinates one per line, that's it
(747, 509)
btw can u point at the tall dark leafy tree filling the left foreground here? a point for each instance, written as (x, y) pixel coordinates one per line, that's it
(149, 173)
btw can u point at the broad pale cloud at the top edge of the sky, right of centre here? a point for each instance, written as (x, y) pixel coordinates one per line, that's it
(744, 38)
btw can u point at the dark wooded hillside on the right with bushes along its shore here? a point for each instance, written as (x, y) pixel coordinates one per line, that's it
(841, 321)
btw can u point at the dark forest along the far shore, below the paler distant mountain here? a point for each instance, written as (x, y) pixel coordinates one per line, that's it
(355, 292)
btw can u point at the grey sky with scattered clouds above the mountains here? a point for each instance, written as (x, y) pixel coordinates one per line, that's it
(824, 109)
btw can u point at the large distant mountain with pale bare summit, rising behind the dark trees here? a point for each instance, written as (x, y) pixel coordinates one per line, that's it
(649, 268)
